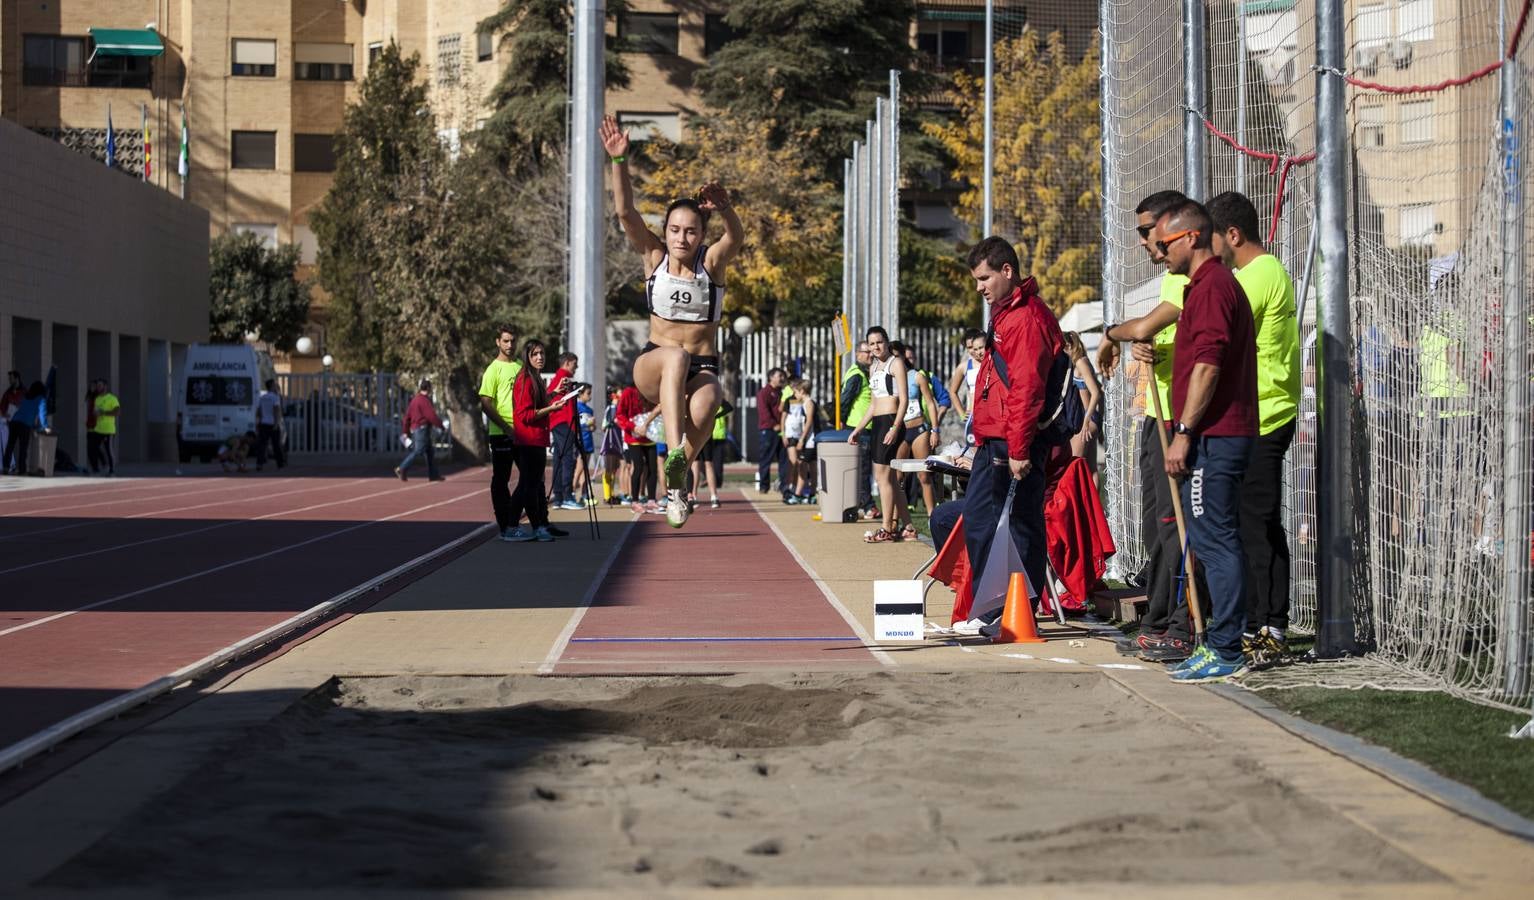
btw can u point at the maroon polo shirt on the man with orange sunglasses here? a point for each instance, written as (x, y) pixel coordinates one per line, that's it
(1217, 329)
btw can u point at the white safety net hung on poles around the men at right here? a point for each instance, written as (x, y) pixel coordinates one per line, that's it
(1440, 223)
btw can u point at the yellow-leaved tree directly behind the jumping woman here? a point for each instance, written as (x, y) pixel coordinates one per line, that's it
(789, 212)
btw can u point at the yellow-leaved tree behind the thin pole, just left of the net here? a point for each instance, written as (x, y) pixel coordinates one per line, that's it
(1047, 186)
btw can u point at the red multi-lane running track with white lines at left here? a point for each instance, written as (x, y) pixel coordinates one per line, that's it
(110, 586)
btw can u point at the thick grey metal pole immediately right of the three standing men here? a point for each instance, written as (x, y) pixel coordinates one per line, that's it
(1335, 442)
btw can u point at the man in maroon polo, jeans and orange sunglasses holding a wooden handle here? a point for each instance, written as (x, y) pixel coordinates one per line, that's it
(1214, 398)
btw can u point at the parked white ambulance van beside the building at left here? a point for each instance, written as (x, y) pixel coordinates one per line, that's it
(219, 390)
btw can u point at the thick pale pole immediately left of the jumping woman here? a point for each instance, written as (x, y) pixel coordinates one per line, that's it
(588, 315)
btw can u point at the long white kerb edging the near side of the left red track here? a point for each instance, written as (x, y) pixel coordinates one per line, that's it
(61, 732)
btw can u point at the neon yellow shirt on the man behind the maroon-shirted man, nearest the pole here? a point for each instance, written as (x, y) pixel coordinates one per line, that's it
(1272, 297)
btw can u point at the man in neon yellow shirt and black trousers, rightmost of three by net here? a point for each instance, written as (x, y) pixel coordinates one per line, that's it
(1237, 241)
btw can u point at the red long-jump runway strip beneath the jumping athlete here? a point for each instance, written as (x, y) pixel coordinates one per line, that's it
(723, 594)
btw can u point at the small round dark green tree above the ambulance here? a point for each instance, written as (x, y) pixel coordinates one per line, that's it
(255, 291)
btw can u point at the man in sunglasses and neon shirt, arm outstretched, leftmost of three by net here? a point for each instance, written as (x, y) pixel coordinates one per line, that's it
(1165, 632)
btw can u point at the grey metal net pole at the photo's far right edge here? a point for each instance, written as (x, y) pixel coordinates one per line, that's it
(1515, 383)
